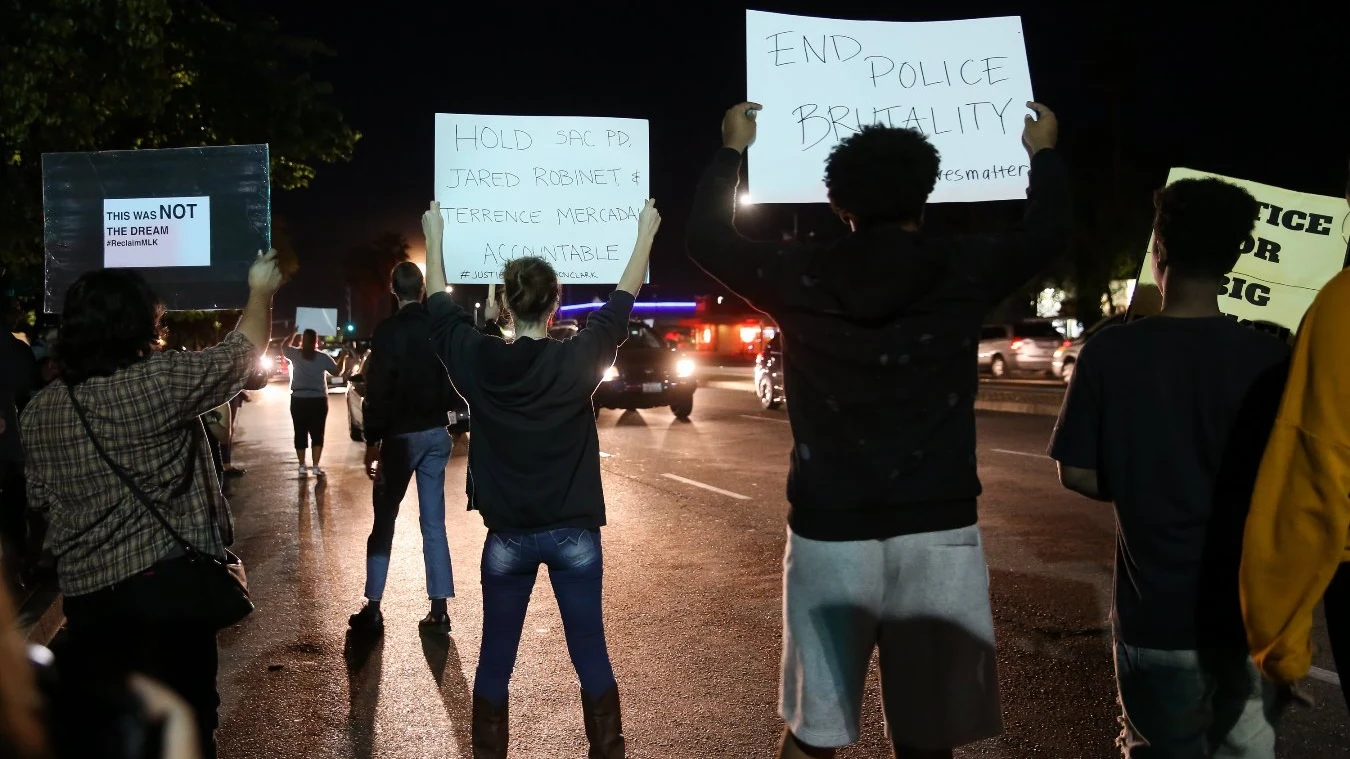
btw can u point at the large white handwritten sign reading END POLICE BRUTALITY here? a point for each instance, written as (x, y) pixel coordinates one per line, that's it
(965, 84)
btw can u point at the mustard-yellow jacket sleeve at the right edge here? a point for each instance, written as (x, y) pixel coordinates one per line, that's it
(1299, 527)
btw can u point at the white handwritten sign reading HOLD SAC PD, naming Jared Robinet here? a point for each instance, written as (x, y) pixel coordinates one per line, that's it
(562, 188)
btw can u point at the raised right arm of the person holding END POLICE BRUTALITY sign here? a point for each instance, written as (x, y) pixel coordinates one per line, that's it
(1010, 261)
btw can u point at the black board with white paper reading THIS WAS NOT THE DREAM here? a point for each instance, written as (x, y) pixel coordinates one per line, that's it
(190, 221)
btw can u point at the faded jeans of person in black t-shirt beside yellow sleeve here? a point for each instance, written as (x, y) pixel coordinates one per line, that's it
(1194, 704)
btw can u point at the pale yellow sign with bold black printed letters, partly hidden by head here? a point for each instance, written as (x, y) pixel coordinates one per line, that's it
(1294, 251)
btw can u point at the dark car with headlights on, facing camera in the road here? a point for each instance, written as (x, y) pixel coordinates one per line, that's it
(647, 375)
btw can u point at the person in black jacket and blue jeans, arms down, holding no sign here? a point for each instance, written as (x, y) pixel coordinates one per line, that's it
(408, 398)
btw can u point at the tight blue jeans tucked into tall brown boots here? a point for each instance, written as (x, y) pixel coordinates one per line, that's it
(576, 568)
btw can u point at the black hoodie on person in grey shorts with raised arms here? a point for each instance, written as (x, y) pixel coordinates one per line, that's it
(881, 337)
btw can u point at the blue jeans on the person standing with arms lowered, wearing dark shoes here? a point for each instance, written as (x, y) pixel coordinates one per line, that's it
(400, 457)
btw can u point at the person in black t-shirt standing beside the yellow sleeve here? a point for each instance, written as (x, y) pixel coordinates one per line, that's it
(1167, 418)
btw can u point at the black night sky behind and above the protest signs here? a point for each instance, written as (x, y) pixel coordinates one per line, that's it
(1260, 95)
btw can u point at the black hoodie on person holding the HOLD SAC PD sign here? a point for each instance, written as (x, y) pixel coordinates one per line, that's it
(534, 454)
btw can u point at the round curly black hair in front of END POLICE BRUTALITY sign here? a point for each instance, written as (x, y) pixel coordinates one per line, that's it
(882, 175)
